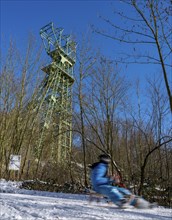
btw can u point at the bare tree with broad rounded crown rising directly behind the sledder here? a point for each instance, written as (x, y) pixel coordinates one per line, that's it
(104, 99)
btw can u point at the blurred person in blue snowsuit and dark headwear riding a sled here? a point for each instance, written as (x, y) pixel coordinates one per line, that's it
(102, 183)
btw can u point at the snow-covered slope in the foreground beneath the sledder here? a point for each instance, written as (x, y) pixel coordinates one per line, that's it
(16, 204)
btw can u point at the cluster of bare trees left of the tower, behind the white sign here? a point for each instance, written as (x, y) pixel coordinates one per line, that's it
(18, 82)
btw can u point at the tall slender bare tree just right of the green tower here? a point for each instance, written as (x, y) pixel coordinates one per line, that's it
(86, 60)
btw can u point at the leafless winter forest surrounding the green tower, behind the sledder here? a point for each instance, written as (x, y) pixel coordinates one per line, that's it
(135, 132)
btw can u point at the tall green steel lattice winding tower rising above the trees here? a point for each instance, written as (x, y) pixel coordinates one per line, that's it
(57, 102)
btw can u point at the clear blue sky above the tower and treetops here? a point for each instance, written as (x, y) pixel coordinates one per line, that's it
(18, 18)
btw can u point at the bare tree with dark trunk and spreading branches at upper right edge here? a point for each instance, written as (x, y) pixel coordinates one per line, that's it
(148, 31)
